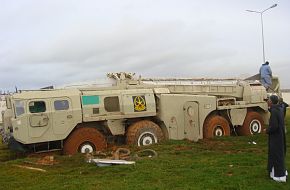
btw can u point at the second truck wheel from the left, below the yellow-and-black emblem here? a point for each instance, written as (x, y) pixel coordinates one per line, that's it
(144, 133)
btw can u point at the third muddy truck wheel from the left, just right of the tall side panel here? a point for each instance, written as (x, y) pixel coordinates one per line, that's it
(214, 126)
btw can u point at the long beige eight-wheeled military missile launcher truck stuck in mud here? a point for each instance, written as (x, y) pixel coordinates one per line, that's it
(137, 112)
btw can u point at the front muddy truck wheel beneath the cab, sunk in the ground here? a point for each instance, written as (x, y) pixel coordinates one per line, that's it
(84, 140)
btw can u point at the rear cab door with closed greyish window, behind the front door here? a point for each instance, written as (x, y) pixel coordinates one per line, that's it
(62, 115)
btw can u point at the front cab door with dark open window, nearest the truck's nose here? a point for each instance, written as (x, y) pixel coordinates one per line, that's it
(39, 117)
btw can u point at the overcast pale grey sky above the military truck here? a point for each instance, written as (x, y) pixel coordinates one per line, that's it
(55, 42)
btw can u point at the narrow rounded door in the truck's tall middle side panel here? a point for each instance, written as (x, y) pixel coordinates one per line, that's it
(191, 122)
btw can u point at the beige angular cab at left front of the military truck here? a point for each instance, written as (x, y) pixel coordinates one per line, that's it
(41, 116)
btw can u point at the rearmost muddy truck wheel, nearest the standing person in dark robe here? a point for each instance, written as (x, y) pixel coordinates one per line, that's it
(253, 124)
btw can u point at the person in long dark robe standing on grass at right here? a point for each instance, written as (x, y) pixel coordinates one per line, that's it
(276, 141)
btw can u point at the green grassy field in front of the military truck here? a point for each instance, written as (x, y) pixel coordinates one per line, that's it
(224, 163)
